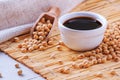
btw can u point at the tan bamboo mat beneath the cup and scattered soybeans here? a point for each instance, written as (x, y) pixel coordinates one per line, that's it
(41, 63)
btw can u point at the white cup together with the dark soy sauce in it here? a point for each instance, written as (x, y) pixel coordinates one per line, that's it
(82, 31)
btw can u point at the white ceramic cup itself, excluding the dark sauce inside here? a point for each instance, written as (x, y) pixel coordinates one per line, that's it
(82, 40)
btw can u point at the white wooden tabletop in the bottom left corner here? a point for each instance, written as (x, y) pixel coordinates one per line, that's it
(9, 72)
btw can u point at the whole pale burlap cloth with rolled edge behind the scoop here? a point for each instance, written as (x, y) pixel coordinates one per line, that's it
(18, 16)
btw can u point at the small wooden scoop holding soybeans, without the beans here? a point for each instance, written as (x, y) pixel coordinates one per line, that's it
(51, 15)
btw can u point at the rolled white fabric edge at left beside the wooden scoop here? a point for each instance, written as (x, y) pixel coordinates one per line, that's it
(12, 32)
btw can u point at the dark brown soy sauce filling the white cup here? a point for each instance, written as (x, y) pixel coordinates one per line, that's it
(82, 23)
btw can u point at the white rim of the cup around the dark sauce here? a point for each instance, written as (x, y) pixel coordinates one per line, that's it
(103, 22)
